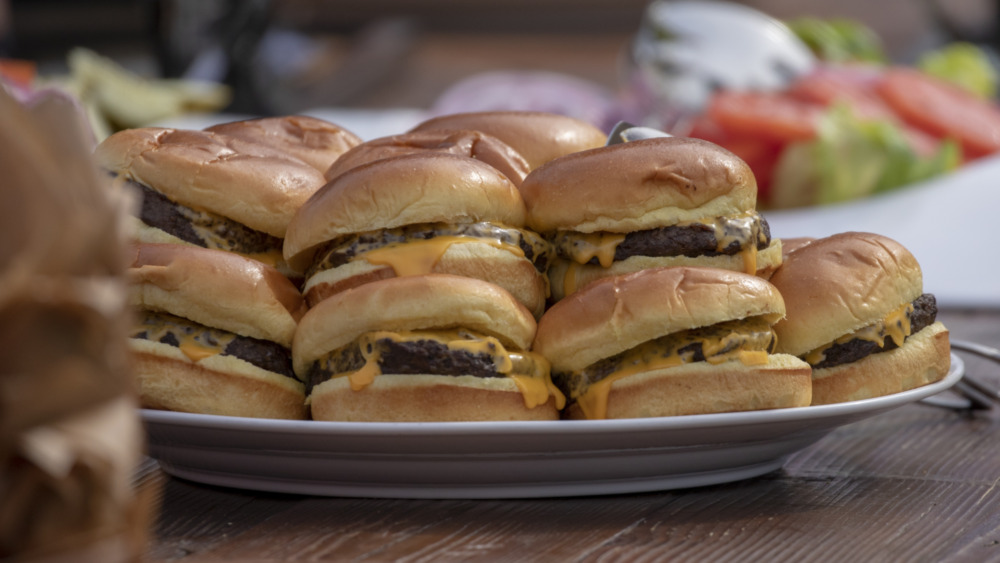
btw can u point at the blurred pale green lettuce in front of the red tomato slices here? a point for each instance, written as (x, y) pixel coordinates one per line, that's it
(852, 158)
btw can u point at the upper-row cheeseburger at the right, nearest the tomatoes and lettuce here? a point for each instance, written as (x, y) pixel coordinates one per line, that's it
(648, 203)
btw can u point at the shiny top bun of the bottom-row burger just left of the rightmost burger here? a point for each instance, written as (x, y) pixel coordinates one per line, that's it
(615, 314)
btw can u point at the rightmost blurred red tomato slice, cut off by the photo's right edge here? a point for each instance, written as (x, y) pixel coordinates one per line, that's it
(943, 110)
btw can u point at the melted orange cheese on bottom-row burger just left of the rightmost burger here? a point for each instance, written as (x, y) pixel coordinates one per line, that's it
(719, 344)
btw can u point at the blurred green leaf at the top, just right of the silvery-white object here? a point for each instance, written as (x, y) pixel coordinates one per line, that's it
(839, 40)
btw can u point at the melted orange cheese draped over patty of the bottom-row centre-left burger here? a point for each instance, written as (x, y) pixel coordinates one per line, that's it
(528, 371)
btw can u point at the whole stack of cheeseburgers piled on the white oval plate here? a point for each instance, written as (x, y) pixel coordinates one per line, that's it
(494, 266)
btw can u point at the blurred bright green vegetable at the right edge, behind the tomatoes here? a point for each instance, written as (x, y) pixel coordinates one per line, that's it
(963, 64)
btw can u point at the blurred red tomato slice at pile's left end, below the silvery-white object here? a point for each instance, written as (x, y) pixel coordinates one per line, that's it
(777, 117)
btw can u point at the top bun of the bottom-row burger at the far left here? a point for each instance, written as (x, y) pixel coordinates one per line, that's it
(217, 289)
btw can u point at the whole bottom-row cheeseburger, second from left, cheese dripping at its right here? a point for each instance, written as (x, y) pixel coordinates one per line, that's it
(425, 348)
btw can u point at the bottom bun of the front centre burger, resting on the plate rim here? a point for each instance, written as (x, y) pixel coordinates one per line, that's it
(425, 398)
